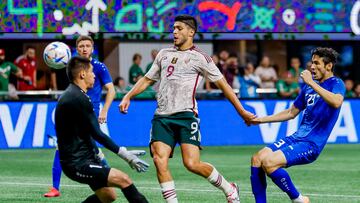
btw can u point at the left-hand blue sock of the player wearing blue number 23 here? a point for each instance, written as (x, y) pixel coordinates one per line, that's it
(258, 184)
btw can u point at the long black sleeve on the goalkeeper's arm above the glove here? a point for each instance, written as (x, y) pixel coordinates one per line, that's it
(94, 127)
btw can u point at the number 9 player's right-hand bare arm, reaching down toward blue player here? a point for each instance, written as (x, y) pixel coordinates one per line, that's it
(230, 95)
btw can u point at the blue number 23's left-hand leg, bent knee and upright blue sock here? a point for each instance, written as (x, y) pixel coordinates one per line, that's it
(258, 176)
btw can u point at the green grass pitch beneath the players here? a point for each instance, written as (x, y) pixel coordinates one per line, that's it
(335, 177)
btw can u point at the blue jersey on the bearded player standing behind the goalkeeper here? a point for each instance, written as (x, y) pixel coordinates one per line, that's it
(102, 77)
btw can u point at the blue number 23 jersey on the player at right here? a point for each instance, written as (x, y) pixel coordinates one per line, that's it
(319, 118)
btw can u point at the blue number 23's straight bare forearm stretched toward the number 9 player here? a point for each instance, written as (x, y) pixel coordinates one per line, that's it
(285, 115)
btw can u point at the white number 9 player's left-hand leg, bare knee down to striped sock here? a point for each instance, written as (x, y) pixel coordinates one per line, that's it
(161, 153)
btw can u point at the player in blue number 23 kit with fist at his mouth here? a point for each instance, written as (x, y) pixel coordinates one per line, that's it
(321, 101)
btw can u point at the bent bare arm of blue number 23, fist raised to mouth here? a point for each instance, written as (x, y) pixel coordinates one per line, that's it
(334, 100)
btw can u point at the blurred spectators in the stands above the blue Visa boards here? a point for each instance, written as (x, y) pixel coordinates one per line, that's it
(262, 80)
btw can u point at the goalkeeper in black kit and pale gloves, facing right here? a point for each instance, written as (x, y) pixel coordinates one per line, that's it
(77, 129)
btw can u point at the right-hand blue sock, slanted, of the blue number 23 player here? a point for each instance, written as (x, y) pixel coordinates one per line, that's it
(282, 179)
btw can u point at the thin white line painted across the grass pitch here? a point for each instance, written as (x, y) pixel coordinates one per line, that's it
(185, 189)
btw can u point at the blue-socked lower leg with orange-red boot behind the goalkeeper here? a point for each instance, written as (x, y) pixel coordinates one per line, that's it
(56, 177)
